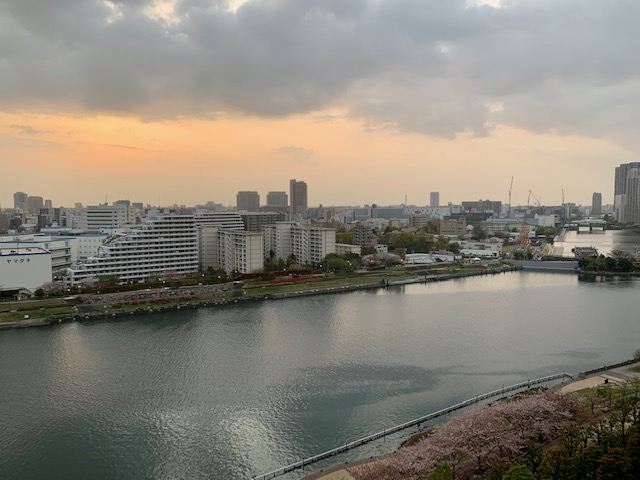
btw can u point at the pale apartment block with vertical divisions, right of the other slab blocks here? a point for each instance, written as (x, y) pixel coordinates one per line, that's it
(307, 243)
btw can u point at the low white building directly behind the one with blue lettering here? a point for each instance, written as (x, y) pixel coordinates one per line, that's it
(64, 250)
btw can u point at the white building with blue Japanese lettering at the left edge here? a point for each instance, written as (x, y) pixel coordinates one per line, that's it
(24, 268)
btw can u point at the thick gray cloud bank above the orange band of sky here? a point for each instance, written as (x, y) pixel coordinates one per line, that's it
(429, 66)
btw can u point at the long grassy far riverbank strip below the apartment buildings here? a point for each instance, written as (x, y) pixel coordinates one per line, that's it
(89, 307)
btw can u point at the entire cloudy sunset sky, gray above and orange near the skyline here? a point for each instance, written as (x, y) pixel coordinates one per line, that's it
(186, 101)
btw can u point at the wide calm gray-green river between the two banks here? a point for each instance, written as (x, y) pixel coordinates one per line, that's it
(234, 392)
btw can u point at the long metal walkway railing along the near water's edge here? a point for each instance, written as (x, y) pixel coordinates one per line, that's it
(362, 441)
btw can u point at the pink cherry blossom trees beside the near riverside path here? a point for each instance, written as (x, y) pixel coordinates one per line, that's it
(481, 441)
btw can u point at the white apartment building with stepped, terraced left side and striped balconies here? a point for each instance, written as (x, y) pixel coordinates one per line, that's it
(162, 243)
